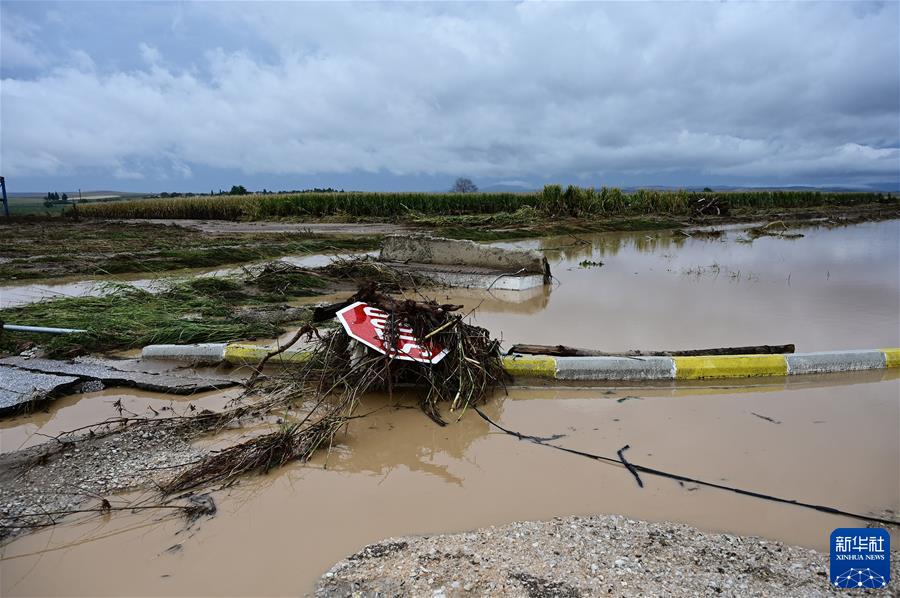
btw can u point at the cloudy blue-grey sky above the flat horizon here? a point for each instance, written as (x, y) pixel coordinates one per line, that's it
(155, 96)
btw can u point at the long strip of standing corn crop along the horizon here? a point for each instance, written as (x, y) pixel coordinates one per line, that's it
(552, 201)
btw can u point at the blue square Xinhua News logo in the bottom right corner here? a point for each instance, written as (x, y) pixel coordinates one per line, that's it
(860, 557)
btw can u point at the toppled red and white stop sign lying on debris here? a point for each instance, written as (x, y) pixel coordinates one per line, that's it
(366, 324)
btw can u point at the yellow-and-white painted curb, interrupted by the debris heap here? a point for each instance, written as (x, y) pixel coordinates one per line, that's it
(591, 368)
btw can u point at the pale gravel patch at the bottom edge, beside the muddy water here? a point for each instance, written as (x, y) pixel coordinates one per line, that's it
(601, 555)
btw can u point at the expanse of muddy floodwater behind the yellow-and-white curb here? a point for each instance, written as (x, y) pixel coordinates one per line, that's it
(831, 289)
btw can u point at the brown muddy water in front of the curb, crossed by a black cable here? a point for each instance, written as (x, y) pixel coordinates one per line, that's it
(397, 473)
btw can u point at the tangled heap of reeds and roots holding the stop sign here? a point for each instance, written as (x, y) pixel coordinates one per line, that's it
(460, 368)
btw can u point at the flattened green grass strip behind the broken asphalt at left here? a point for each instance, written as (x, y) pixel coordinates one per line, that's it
(198, 310)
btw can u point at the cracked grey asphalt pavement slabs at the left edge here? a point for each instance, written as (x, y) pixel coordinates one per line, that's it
(24, 380)
